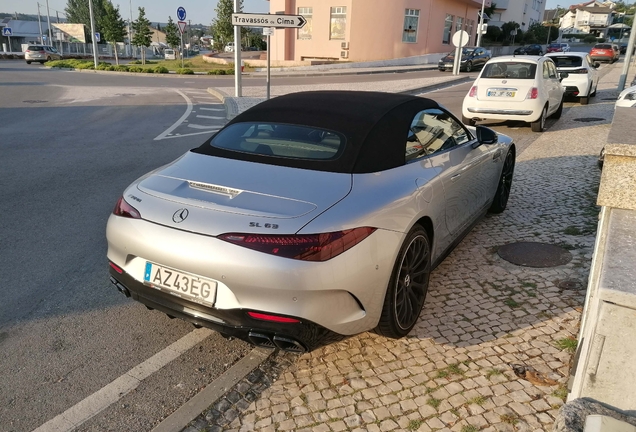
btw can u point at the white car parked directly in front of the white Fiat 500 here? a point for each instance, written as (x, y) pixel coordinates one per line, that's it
(582, 77)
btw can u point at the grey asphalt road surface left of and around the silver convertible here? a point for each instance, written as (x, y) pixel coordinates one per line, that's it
(70, 143)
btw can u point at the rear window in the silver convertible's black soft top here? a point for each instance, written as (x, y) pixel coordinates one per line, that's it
(280, 140)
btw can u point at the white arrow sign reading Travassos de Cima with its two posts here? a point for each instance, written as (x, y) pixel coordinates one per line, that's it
(269, 22)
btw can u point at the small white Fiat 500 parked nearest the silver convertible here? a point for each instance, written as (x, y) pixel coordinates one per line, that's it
(526, 89)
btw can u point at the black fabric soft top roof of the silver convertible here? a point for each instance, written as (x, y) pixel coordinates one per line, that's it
(375, 125)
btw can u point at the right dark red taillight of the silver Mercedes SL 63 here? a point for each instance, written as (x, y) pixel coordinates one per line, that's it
(306, 247)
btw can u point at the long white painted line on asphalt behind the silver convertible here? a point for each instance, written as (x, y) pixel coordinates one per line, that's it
(111, 393)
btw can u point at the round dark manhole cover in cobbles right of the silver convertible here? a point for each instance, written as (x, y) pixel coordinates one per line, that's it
(530, 254)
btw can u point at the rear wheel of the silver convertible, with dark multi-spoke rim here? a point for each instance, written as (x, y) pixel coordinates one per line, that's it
(407, 287)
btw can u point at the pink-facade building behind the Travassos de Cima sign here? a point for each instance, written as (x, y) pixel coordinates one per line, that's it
(368, 30)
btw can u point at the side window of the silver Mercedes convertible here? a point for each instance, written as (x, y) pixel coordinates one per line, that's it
(434, 131)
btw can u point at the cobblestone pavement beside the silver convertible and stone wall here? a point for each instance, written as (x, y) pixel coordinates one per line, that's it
(482, 315)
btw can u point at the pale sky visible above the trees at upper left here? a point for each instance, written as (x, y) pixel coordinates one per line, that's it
(198, 11)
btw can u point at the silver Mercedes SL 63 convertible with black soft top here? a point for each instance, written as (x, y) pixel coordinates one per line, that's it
(309, 217)
